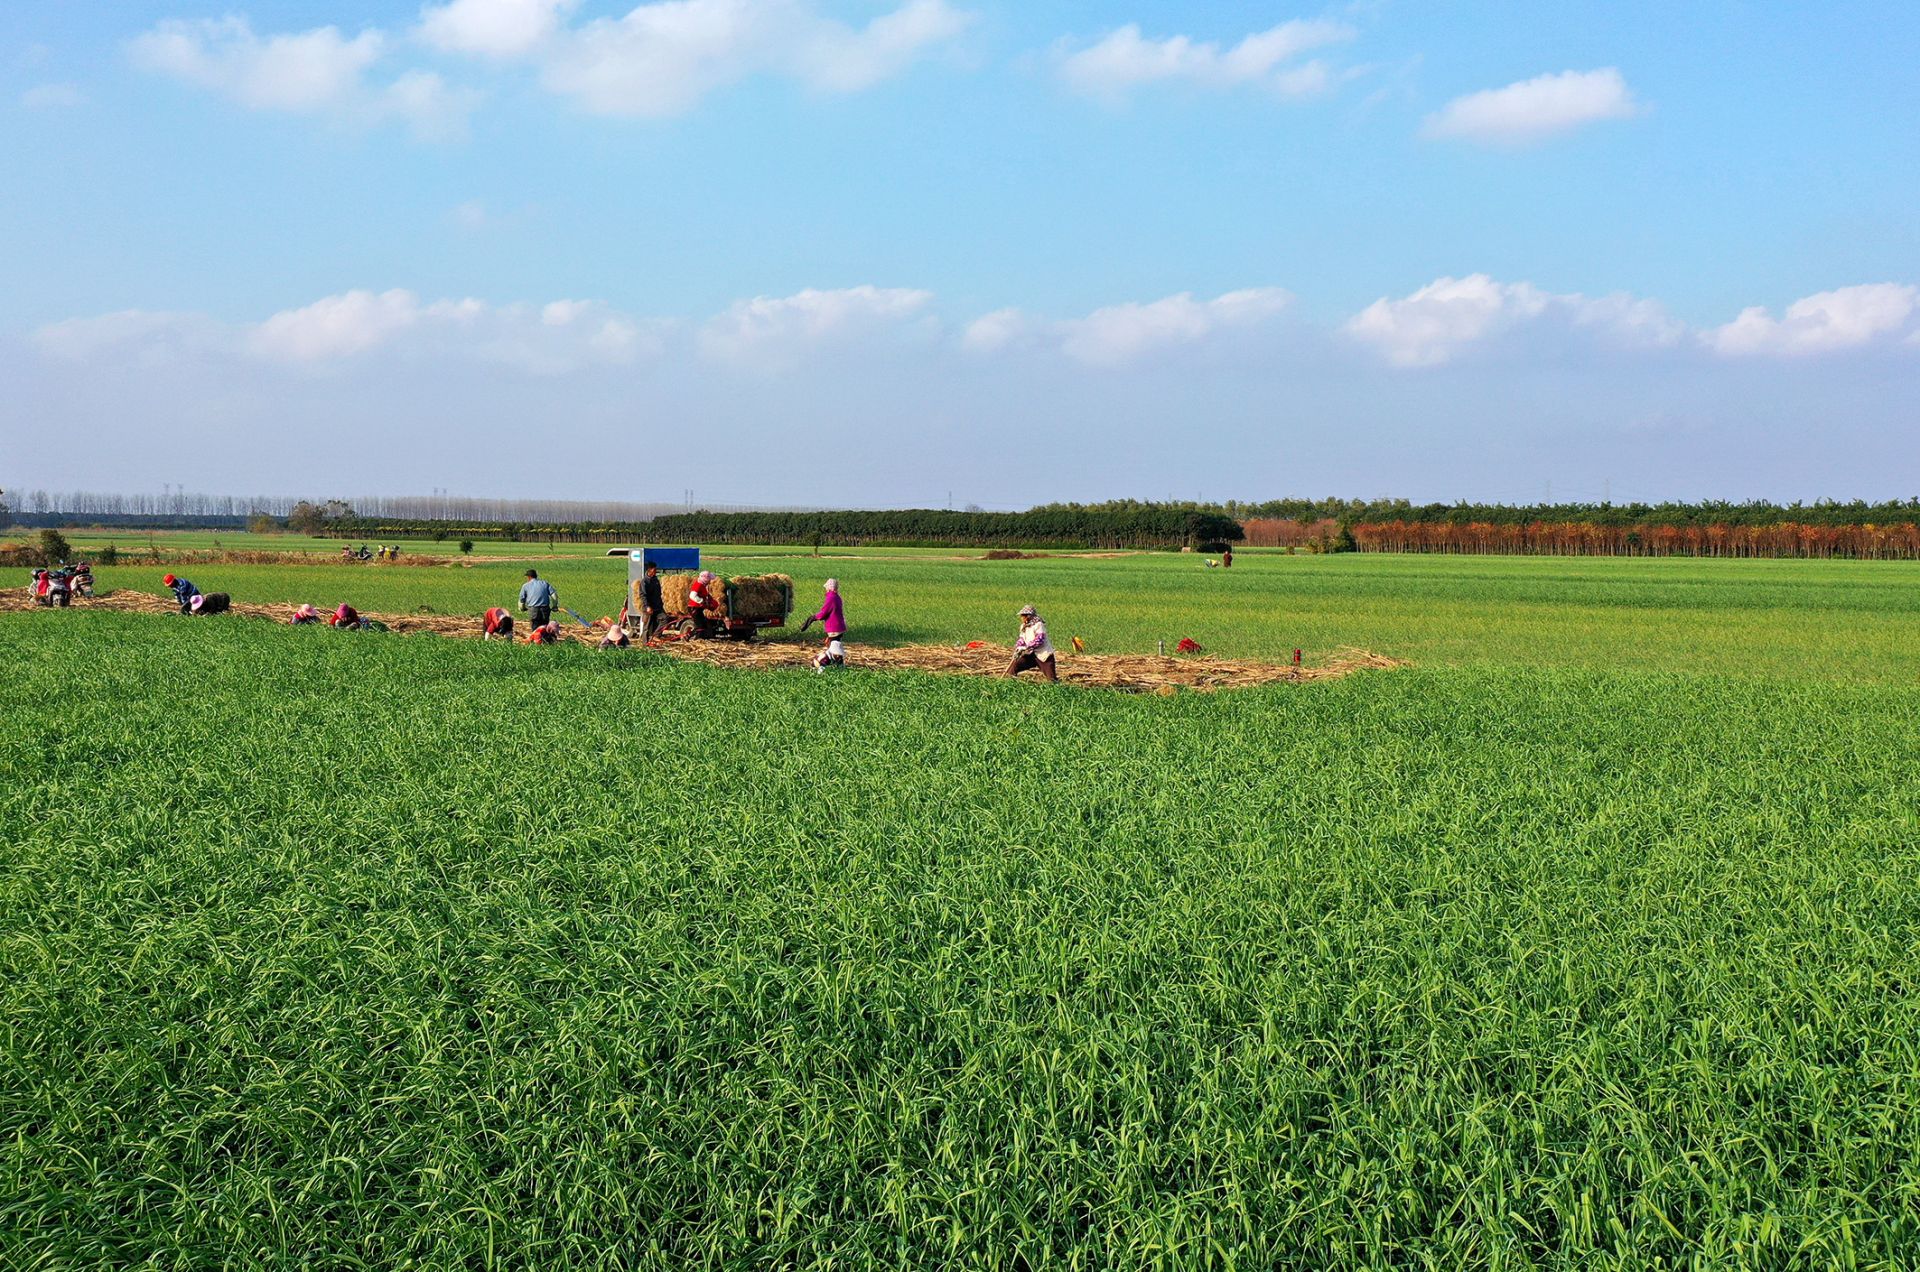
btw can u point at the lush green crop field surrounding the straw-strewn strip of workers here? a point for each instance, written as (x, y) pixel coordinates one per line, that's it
(1587, 942)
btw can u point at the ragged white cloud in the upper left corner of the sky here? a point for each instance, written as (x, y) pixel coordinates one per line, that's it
(312, 74)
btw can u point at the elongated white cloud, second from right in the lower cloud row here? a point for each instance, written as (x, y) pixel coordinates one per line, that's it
(1445, 318)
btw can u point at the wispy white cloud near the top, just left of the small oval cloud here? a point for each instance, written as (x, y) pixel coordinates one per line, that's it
(1126, 61)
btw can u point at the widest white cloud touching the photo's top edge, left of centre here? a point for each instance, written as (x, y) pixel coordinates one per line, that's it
(661, 59)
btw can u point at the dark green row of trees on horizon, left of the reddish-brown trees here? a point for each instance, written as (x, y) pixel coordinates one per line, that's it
(1055, 526)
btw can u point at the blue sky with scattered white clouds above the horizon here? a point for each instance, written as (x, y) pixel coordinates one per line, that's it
(834, 253)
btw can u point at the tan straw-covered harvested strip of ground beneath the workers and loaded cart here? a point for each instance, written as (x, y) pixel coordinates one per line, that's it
(1140, 673)
